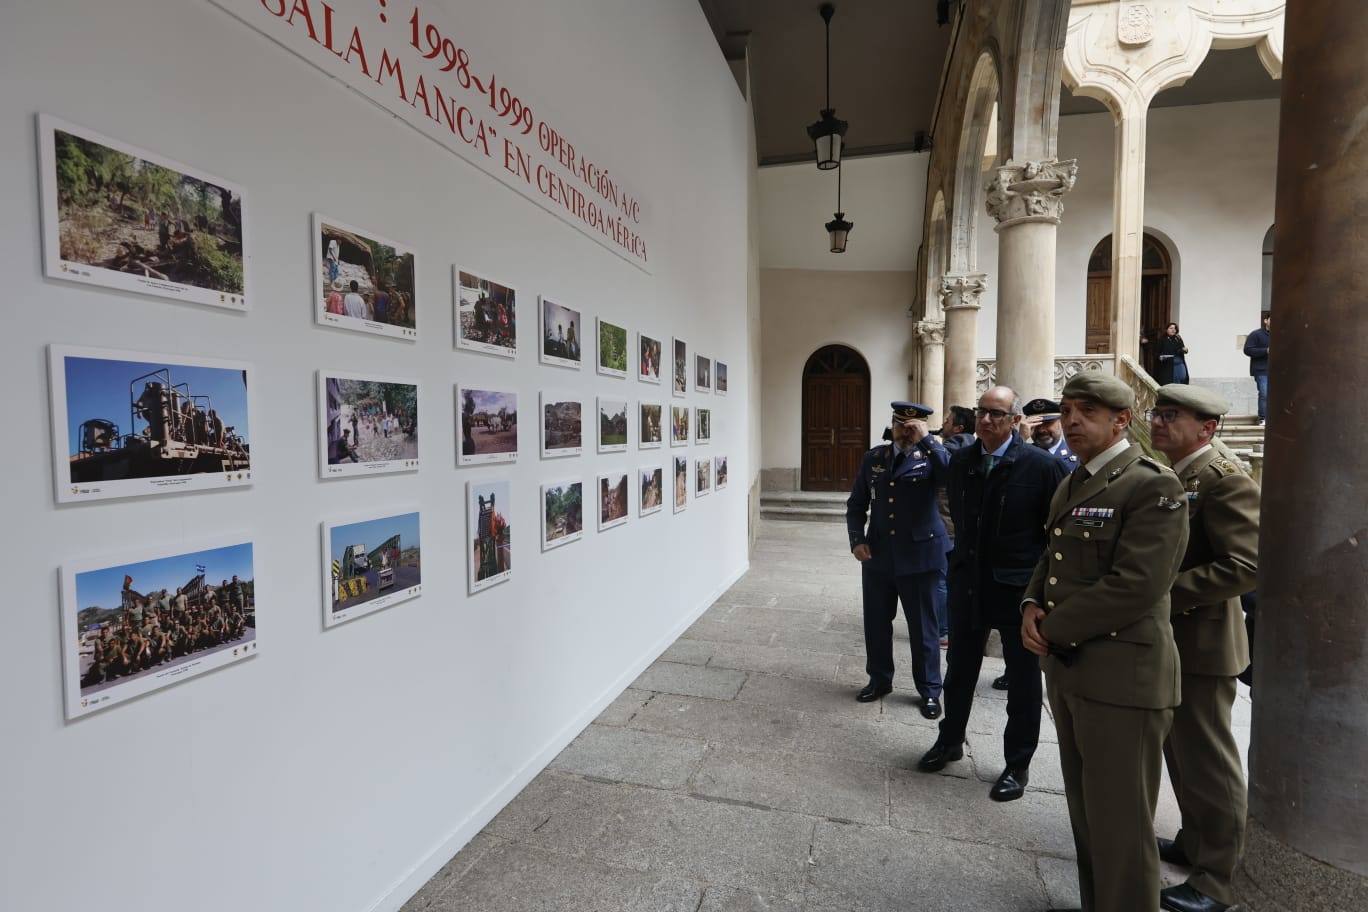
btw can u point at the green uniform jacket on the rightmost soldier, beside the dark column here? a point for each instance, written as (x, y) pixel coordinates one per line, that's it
(1221, 565)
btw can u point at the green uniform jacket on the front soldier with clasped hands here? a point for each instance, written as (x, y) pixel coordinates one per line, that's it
(1114, 548)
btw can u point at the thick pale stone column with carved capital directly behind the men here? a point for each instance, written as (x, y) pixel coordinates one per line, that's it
(1027, 200)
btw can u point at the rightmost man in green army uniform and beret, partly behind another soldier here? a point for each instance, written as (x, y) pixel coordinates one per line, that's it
(1221, 565)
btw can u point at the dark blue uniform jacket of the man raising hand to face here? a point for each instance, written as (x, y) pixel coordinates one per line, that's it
(905, 531)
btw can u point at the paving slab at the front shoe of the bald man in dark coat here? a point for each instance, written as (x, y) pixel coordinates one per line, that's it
(961, 810)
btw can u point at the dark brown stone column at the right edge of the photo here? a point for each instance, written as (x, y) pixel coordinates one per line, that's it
(1307, 843)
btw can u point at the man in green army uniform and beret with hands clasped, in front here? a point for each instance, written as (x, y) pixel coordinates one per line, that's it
(1098, 611)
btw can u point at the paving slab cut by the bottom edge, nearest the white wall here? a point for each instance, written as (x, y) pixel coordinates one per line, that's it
(522, 879)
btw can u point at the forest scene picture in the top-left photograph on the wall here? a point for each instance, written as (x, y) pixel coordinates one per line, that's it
(120, 213)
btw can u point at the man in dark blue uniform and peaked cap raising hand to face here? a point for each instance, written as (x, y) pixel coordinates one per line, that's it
(902, 552)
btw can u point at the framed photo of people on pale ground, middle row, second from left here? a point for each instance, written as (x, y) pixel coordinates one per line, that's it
(367, 425)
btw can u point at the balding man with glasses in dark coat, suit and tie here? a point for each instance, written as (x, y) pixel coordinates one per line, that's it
(999, 498)
